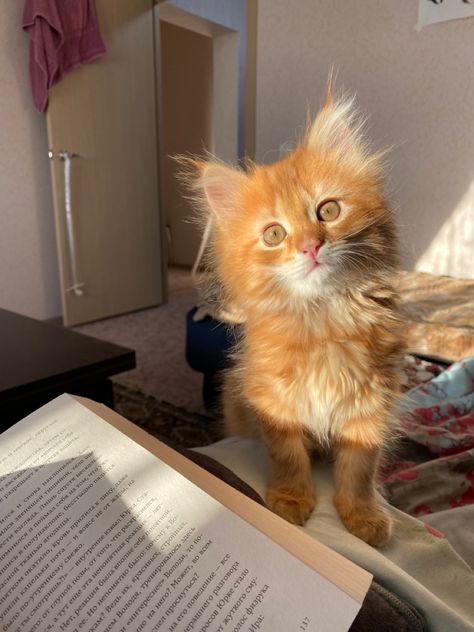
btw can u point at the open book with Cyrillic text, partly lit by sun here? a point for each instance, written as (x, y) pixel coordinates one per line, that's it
(102, 527)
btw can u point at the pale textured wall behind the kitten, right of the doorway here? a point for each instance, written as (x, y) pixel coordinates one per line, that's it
(419, 88)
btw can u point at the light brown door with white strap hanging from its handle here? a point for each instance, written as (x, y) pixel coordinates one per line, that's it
(104, 115)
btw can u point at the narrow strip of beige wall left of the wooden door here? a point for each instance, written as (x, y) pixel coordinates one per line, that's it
(28, 265)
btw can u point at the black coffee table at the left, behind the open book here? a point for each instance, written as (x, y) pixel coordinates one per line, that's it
(39, 361)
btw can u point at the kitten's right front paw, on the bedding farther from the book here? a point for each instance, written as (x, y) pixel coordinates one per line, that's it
(370, 523)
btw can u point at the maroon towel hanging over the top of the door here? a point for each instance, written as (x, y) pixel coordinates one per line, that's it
(63, 35)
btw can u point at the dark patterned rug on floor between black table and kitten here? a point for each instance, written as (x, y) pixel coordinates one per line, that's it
(169, 423)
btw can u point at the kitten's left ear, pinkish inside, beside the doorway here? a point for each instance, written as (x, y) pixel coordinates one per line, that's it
(222, 186)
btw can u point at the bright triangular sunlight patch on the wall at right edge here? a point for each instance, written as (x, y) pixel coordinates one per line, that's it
(452, 249)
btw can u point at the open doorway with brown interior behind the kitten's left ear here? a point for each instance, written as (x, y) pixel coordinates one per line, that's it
(198, 65)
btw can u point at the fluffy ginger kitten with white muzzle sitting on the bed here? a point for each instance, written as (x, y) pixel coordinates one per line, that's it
(305, 249)
